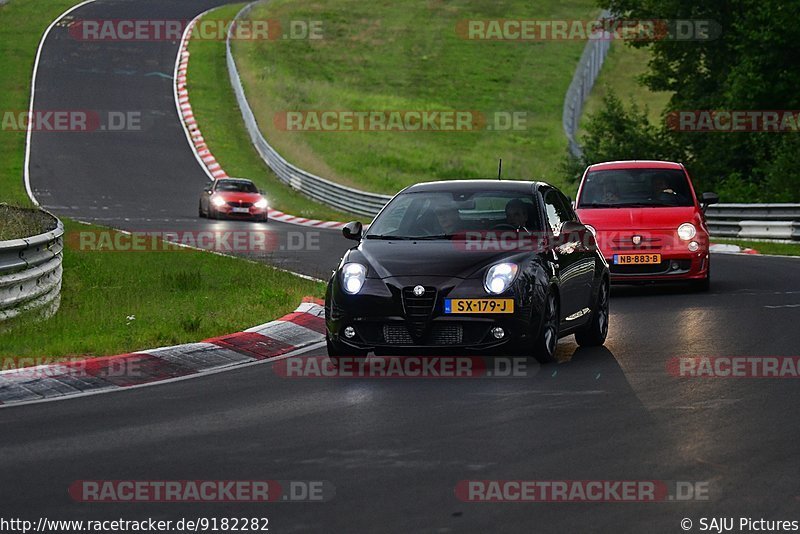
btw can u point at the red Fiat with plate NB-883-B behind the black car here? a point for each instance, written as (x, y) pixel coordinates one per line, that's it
(648, 221)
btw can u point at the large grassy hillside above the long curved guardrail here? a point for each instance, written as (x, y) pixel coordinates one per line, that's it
(406, 55)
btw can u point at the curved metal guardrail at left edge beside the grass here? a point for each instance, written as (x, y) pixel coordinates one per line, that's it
(30, 273)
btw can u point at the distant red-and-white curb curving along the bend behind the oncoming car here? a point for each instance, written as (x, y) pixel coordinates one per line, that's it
(198, 144)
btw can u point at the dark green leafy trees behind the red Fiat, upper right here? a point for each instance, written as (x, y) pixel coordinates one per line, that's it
(750, 65)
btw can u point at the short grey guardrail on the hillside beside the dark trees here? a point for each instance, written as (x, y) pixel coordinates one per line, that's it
(594, 54)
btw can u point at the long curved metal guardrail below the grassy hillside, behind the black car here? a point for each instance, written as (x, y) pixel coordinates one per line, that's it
(325, 191)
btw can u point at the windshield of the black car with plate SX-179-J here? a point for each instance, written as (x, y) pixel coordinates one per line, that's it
(450, 214)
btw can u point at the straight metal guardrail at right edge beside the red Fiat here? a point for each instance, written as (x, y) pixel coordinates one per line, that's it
(755, 221)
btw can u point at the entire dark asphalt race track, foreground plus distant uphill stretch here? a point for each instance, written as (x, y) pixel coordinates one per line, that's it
(394, 449)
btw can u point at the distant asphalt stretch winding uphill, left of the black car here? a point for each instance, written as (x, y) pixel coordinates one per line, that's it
(145, 179)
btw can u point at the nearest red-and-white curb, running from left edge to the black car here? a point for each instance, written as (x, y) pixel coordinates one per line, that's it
(292, 334)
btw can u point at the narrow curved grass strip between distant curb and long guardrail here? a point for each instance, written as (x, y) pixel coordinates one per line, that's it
(217, 113)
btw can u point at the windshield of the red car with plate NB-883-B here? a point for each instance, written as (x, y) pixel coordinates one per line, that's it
(627, 188)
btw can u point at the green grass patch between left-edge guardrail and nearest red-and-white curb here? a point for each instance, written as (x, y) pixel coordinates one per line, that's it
(115, 302)
